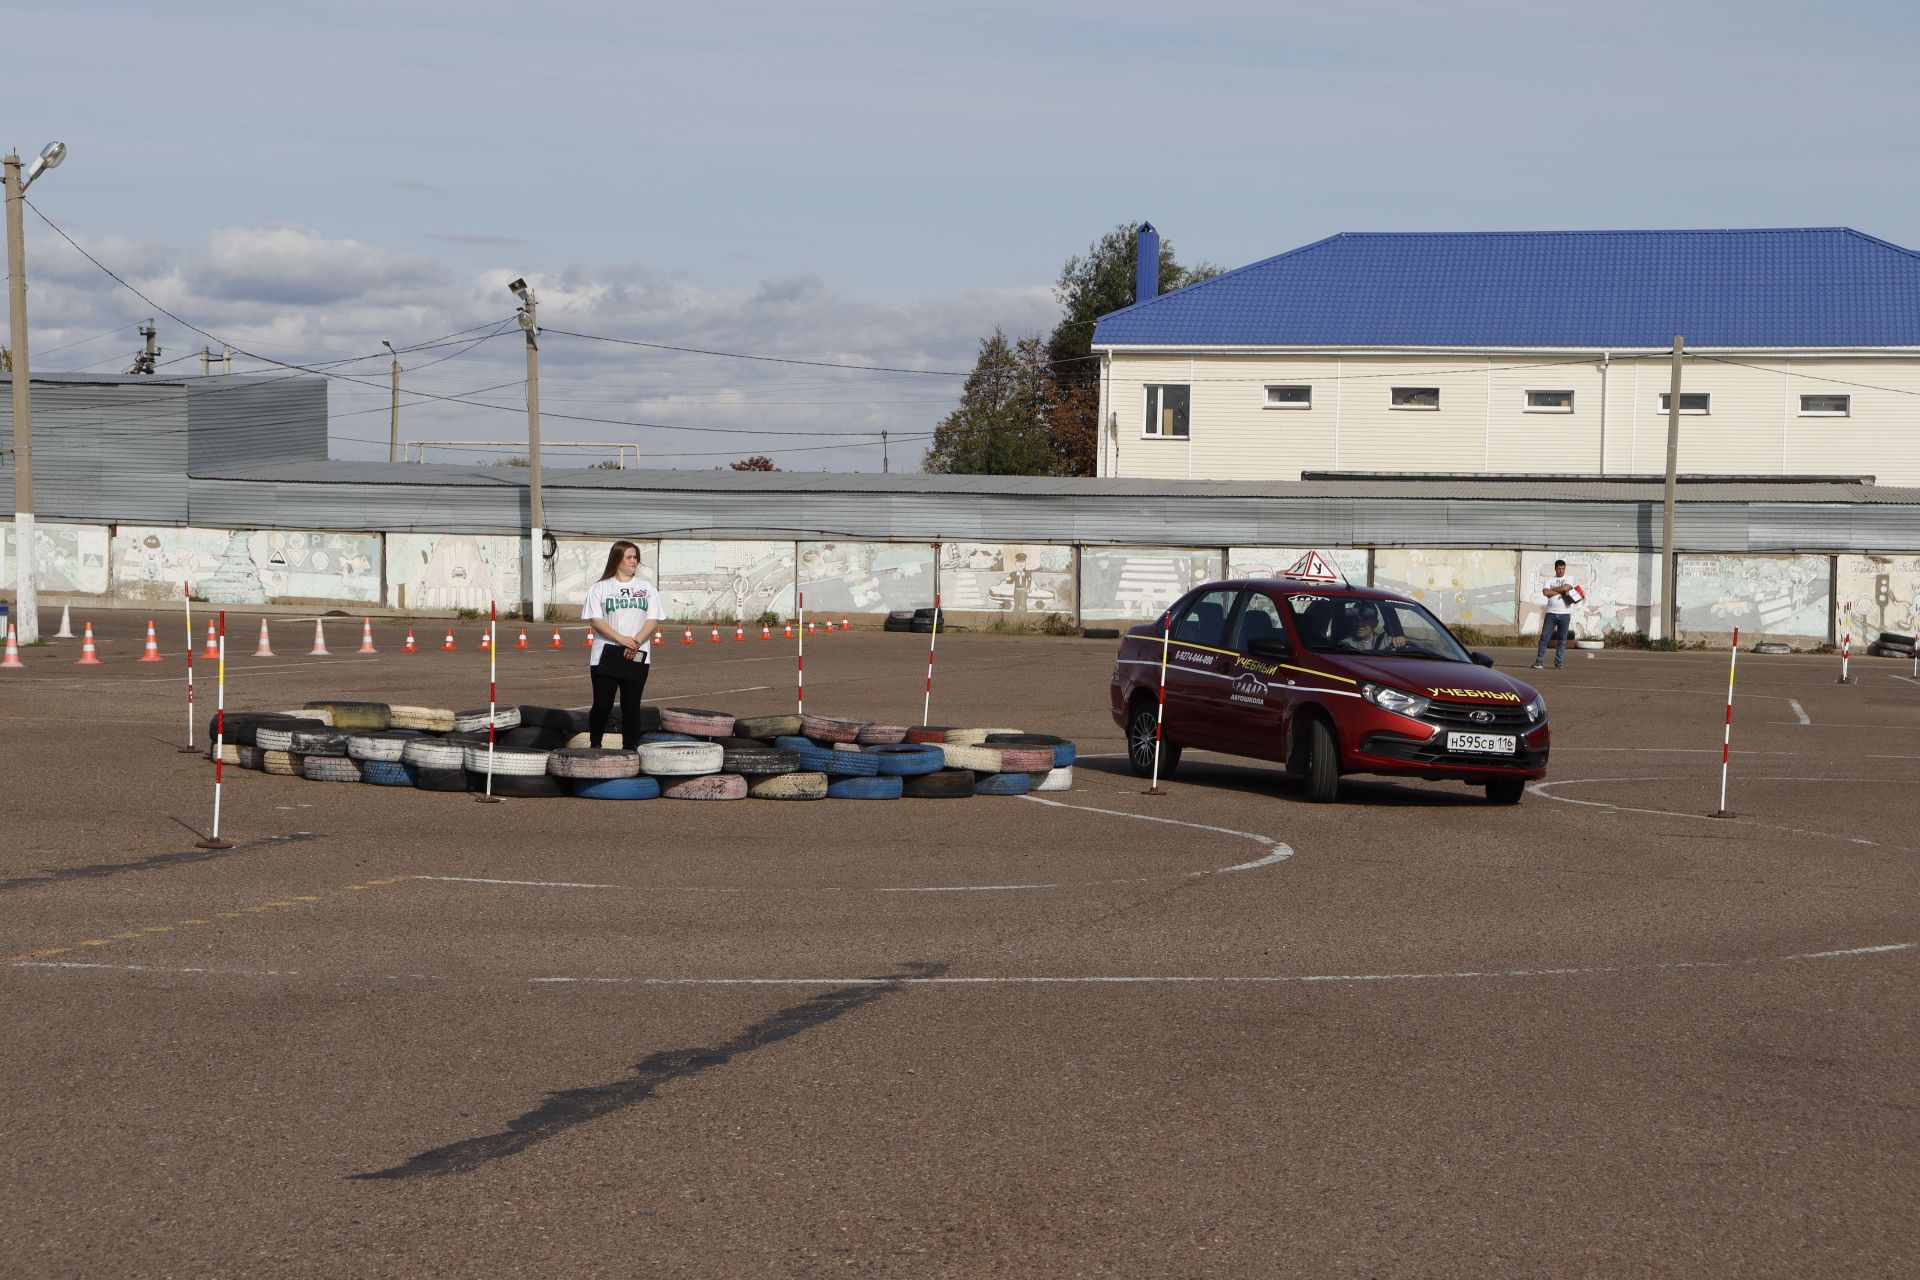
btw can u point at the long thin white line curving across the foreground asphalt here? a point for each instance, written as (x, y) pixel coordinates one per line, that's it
(1145, 980)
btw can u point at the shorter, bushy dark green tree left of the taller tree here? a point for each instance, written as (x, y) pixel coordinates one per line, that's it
(999, 429)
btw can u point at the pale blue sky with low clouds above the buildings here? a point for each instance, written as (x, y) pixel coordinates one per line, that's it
(871, 183)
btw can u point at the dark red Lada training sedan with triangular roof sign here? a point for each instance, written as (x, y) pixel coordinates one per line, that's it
(1328, 680)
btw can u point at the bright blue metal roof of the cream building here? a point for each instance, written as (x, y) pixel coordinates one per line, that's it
(1798, 287)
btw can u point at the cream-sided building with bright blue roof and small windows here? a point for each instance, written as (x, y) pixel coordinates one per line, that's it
(1525, 354)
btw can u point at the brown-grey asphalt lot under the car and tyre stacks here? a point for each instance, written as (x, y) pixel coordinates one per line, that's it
(1220, 1031)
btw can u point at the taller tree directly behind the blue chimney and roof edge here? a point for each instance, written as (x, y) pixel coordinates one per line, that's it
(1090, 287)
